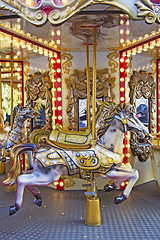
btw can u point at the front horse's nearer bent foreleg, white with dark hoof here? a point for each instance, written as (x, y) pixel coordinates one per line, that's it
(120, 174)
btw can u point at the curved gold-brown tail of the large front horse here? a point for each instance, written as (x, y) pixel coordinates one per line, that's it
(16, 167)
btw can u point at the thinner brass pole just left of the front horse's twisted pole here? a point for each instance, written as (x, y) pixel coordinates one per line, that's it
(88, 86)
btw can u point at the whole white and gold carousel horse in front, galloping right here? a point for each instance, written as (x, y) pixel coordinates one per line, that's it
(102, 157)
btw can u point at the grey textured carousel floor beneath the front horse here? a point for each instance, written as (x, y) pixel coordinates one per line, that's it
(62, 215)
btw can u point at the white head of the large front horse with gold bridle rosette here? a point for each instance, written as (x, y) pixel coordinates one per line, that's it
(125, 114)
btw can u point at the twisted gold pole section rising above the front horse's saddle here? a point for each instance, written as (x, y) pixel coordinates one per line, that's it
(94, 83)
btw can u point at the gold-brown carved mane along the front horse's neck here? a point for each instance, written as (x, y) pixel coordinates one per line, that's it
(120, 108)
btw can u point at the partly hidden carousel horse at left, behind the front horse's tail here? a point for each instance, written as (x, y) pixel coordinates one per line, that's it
(17, 135)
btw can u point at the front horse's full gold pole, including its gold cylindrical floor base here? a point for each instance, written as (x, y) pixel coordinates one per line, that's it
(93, 214)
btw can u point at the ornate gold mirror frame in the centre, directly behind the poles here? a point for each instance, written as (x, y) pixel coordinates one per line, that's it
(77, 85)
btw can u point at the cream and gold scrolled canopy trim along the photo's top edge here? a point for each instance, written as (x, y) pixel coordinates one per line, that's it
(57, 12)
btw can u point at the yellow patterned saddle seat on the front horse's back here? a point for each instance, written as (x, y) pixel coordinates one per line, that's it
(70, 137)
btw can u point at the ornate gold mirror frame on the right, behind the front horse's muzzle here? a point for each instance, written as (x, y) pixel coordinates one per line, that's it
(142, 84)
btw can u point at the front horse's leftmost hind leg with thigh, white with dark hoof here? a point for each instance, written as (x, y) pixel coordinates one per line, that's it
(41, 177)
